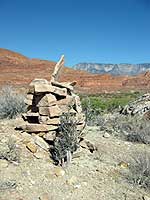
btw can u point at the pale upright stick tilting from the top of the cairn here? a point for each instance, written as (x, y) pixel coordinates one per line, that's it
(57, 69)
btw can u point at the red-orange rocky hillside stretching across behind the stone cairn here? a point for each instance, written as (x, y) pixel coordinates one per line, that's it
(18, 70)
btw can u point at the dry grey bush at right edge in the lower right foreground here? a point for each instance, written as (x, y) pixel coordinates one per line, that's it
(139, 170)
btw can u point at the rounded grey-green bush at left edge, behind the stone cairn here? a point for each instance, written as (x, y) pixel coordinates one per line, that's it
(11, 103)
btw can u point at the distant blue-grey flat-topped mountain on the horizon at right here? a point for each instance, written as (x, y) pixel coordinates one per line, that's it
(113, 69)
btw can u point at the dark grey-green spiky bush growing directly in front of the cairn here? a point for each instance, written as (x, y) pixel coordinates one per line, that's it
(67, 140)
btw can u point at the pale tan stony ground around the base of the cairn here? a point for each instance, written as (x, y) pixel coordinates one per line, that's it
(97, 175)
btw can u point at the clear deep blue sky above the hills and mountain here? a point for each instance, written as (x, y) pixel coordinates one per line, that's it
(102, 31)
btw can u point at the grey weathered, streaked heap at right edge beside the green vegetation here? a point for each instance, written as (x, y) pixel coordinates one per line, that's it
(141, 106)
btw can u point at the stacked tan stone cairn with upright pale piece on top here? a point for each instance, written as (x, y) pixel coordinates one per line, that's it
(47, 102)
